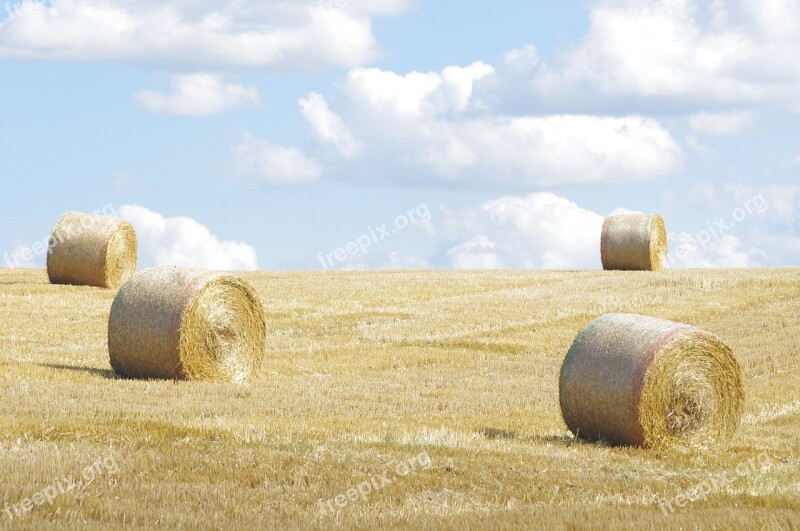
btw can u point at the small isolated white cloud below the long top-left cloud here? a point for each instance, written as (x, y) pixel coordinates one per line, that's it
(200, 94)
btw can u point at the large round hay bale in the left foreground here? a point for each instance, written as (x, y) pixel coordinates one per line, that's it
(186, 324)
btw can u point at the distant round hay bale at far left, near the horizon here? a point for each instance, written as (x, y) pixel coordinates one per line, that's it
(91, 250)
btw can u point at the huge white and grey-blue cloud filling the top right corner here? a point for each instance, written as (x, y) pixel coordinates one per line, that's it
(685, 54)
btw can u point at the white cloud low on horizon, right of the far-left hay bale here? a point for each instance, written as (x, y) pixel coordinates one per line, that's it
(182, 241)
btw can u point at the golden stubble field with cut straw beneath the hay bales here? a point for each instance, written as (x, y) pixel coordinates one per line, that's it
(391, 399)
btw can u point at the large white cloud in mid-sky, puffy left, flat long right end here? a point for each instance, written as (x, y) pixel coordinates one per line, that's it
(430, 127)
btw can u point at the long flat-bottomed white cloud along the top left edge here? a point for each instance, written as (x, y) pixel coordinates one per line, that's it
(250, 33)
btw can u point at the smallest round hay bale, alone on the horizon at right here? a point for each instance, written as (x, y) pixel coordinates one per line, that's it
(634, 242)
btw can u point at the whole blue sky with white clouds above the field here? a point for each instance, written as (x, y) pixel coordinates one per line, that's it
(395, 134)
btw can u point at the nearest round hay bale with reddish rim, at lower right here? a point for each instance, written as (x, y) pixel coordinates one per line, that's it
(642, 381)
